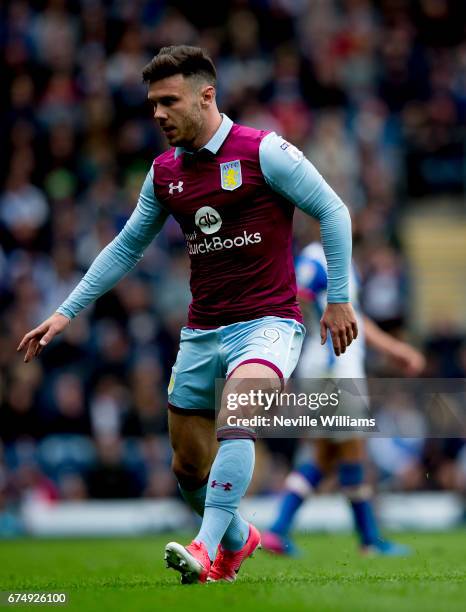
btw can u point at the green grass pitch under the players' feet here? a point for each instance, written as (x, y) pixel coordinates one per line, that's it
(129, 574)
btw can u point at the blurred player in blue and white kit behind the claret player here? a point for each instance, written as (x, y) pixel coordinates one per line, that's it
(347, 451)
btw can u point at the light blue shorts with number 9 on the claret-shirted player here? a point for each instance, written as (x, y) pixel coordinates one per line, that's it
(209, 354)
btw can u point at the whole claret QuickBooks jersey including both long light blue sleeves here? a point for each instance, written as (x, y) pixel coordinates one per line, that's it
(234, 200)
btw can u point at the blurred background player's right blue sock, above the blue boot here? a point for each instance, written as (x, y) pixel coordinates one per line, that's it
(351, 476)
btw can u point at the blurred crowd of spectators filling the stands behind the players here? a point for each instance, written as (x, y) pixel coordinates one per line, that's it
(374, 93)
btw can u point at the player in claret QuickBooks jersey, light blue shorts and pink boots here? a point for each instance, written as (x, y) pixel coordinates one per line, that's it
(233, 190)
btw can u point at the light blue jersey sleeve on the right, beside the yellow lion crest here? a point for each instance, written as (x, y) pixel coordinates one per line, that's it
(290, 174)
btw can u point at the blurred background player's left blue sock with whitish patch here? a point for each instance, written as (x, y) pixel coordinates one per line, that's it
(299, 484)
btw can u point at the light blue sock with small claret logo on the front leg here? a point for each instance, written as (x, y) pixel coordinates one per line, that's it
(229, 479)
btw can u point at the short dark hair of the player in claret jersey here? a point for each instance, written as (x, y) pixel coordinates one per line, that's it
(180, 59)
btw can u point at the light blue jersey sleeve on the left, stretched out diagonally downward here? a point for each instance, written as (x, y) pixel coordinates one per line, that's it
(120, 255)
